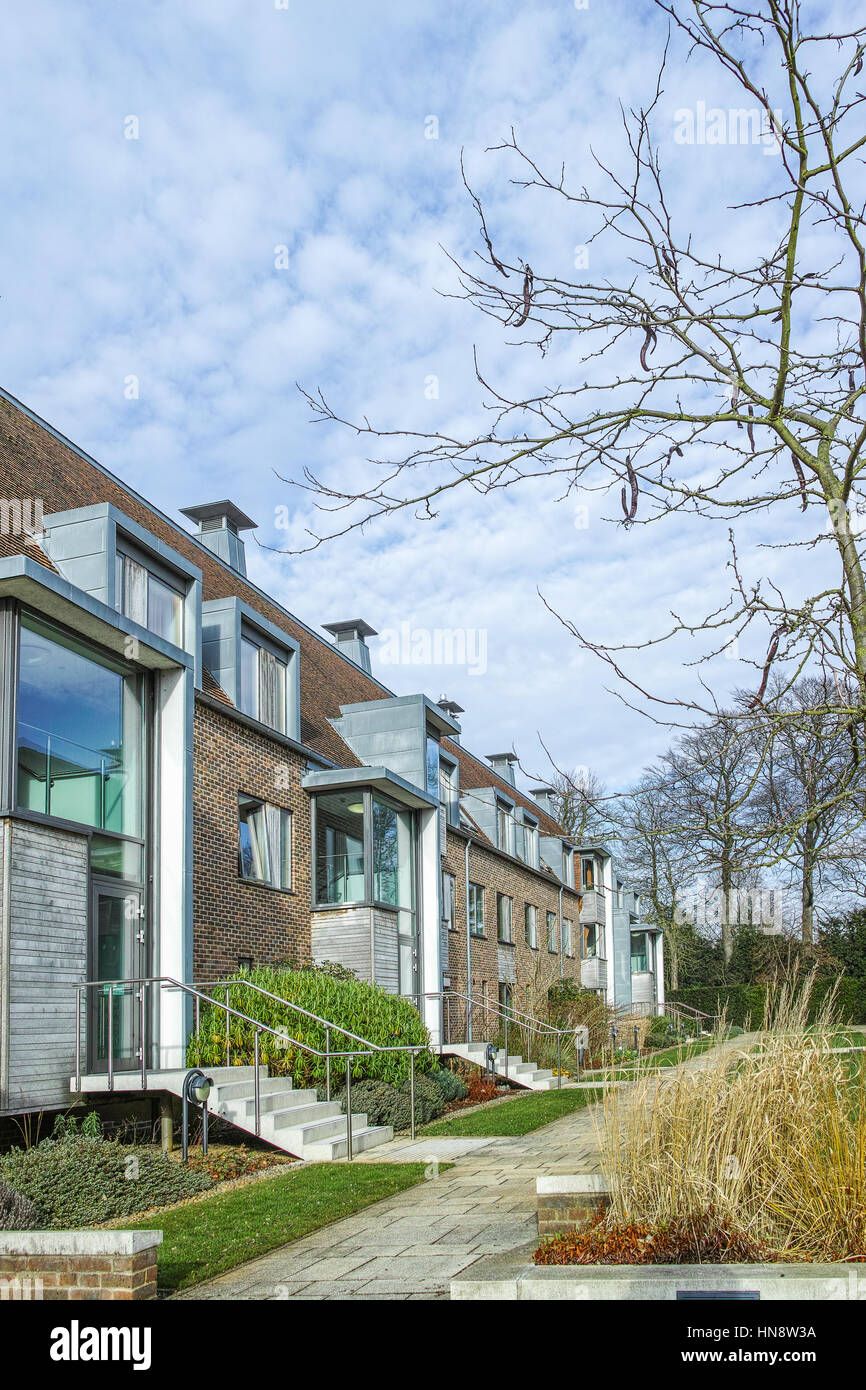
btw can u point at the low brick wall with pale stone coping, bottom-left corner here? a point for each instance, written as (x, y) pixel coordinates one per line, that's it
(79, 1264)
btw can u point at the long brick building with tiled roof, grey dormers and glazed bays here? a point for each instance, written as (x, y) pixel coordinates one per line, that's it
(195, 782)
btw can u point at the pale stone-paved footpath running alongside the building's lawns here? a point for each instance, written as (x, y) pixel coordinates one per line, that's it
(414, 1245)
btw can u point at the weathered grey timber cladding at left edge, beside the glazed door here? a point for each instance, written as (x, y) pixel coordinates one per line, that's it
(44, 957)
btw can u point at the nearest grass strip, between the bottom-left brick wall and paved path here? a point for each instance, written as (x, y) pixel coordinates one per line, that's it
(206, 1238)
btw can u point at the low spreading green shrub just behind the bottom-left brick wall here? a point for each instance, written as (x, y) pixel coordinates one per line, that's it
(80, 1181)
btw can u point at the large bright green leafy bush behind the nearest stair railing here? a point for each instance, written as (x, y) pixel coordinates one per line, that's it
(365, 1010)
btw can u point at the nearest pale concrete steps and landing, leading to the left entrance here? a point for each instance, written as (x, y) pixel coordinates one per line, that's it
(294, 1121)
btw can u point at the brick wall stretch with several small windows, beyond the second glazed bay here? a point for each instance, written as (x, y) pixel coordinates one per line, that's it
(534, 972)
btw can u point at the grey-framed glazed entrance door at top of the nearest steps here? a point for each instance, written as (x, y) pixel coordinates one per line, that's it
(117, 954)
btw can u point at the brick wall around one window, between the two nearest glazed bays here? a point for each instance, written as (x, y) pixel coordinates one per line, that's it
(233, 917)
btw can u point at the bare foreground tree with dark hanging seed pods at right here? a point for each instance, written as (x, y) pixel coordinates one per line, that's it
(714, 386)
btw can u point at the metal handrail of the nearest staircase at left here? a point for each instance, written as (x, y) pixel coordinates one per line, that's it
(144, 989)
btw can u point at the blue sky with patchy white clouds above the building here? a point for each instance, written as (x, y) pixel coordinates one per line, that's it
(209, 202)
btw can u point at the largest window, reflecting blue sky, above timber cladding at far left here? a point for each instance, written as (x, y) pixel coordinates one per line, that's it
(80, 733)
